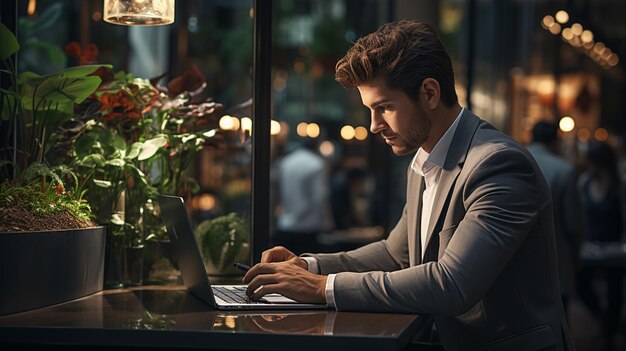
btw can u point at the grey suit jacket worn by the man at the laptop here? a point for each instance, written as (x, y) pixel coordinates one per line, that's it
(489, 270)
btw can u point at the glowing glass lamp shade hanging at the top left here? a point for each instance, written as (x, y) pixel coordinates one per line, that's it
(139, 12)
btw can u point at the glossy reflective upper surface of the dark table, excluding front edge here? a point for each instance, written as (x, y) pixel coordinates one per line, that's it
(176, 309)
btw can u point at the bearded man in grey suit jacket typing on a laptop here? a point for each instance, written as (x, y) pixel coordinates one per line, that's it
(475, 244)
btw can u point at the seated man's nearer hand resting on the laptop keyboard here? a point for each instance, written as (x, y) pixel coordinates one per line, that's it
(286, 278)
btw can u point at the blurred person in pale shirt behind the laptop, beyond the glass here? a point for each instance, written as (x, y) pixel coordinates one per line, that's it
(303, 198)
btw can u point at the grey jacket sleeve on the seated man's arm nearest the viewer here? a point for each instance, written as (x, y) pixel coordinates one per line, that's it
(501, 196)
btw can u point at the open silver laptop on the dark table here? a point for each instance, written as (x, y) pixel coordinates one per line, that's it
(195, 277)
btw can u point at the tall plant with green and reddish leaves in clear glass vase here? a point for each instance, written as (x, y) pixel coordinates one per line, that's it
(137, 141)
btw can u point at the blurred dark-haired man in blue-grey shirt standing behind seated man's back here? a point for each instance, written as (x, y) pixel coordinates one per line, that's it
(568, 225)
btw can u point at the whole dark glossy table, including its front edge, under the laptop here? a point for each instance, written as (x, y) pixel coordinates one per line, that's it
(170, 317)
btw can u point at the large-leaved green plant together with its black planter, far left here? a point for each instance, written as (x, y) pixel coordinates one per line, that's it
(62, 260)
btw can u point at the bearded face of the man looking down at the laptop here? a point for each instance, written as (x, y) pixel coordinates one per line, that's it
(398, 118)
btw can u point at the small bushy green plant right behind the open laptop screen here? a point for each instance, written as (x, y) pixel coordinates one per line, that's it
(223, 241)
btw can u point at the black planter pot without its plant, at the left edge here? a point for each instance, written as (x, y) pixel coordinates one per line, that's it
(38, 269)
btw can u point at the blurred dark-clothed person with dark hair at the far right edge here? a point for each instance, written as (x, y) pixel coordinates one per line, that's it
(602, 195)
